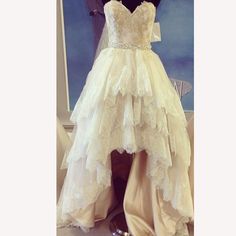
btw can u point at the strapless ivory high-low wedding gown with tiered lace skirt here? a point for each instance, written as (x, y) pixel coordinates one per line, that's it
(128, 103)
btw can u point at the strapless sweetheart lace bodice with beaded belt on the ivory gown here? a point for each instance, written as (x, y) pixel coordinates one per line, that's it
(128, 29)
